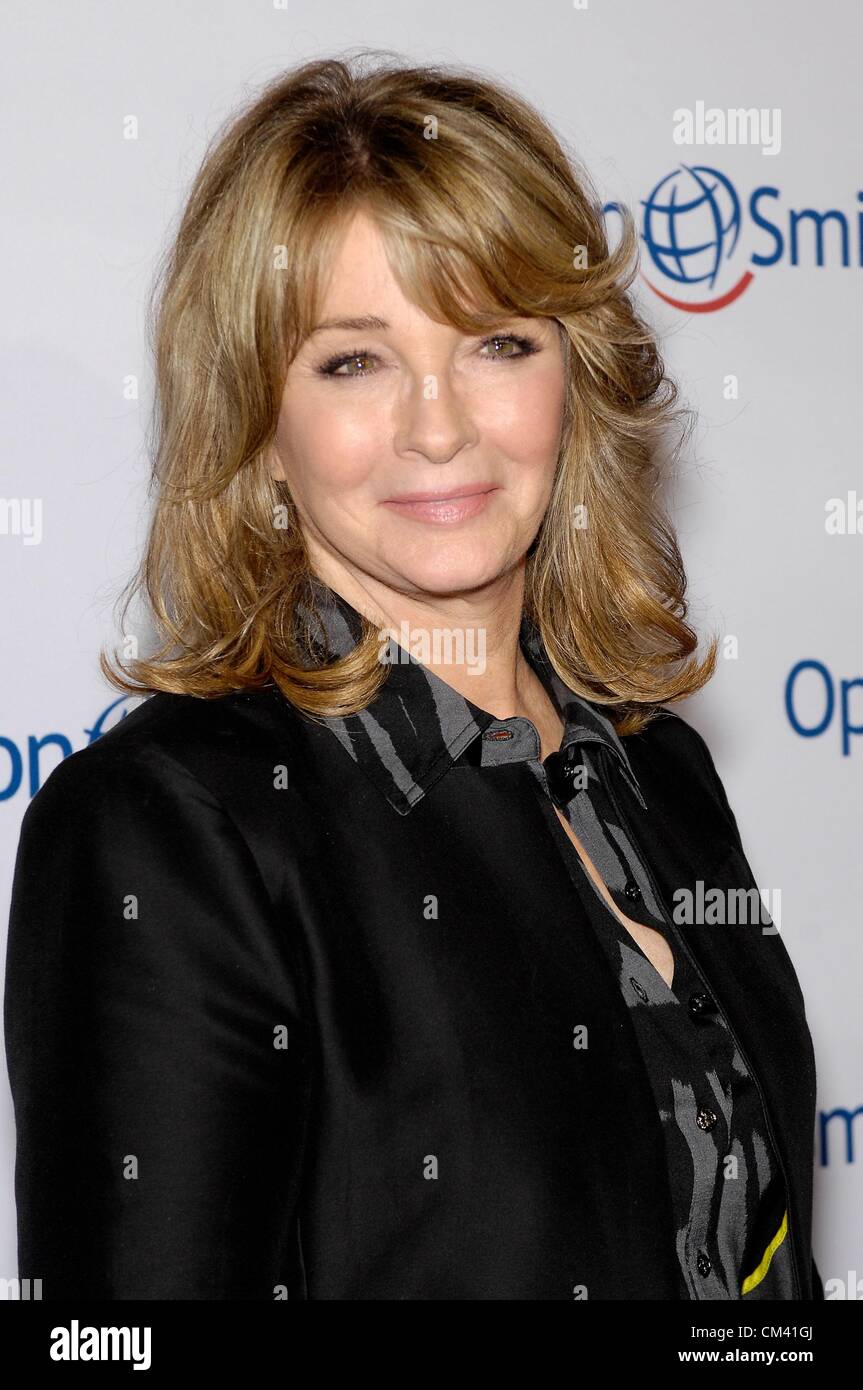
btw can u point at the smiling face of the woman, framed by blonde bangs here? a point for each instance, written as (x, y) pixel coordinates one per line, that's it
(418, 457)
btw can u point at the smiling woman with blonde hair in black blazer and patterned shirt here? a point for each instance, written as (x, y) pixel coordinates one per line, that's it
(361, 972)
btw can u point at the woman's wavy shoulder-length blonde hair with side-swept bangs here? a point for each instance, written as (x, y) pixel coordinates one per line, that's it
(483, 216)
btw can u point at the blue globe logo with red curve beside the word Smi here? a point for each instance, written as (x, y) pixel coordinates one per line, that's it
(691, 227)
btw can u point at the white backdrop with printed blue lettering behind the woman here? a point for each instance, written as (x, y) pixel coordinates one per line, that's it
(772, 363)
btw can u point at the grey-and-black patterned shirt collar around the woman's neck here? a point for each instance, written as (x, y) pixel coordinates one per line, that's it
(419, 726)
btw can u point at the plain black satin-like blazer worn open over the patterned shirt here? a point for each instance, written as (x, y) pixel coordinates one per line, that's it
(248, 1064)
